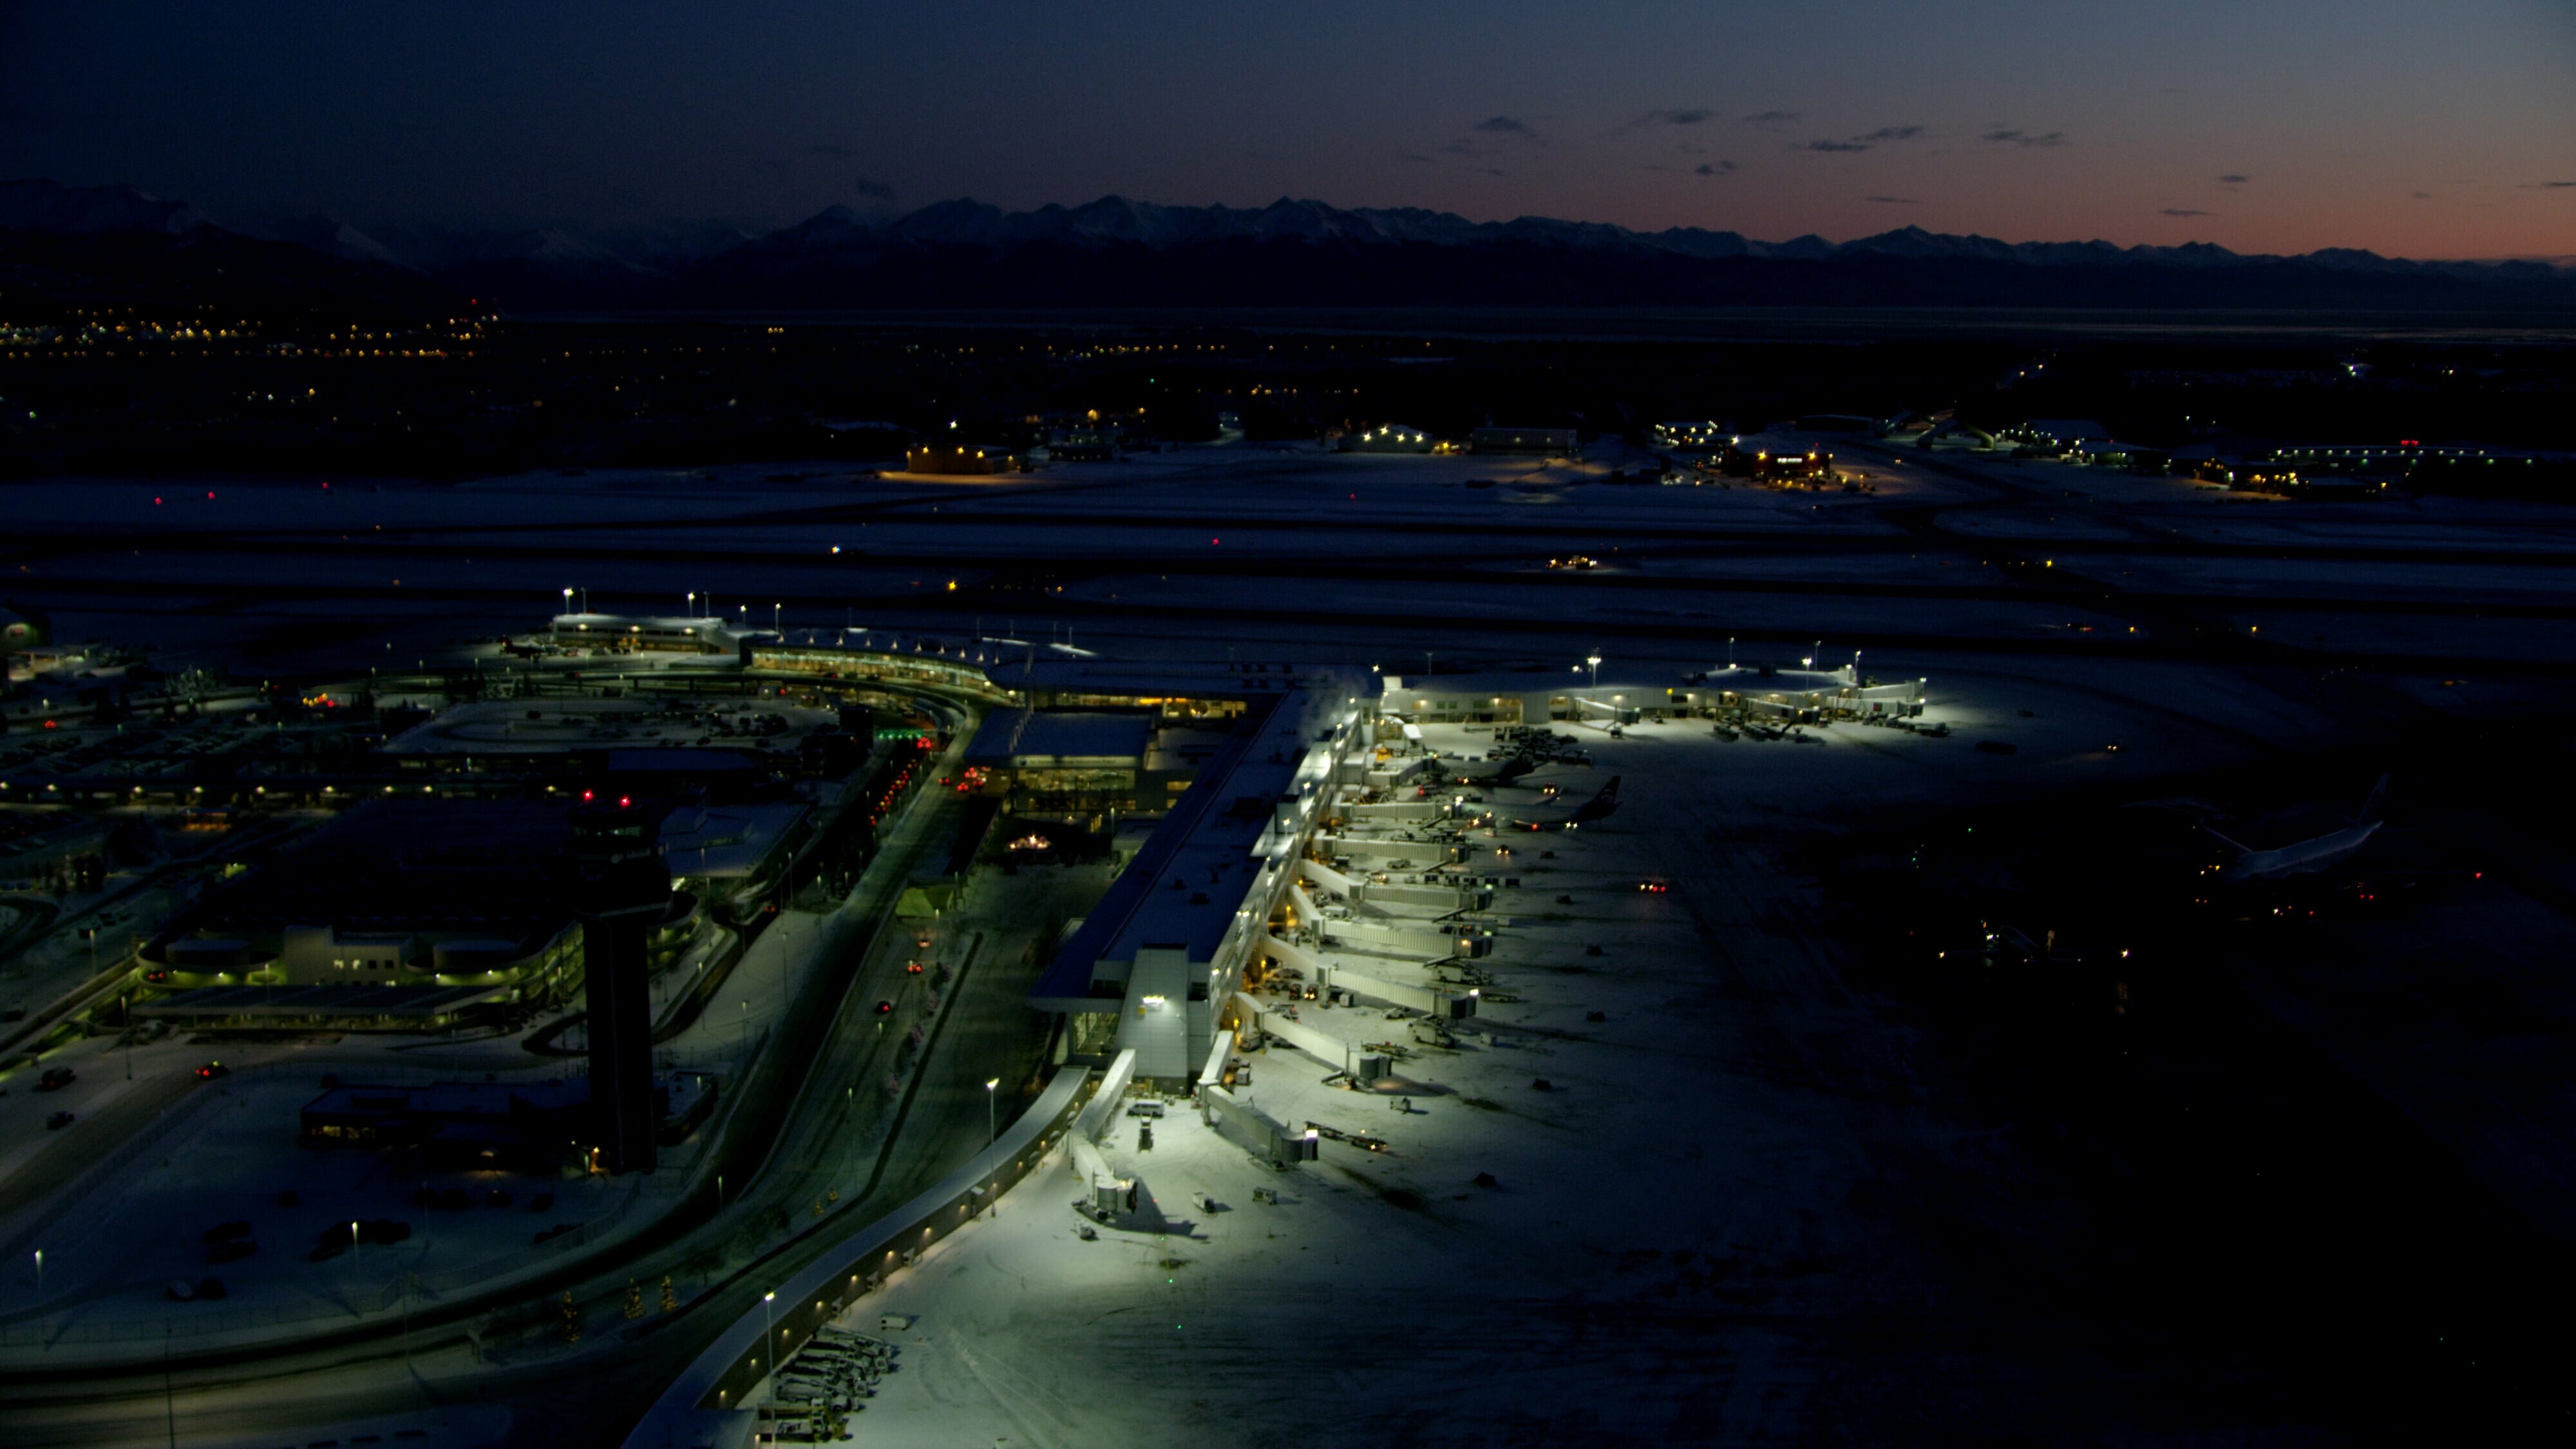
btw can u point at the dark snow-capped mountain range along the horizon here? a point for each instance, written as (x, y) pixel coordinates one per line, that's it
(117, 241)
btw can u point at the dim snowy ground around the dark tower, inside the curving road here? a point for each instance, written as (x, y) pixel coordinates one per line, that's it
(225, 1151)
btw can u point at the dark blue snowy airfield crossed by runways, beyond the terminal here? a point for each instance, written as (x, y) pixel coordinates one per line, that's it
(1199, 543)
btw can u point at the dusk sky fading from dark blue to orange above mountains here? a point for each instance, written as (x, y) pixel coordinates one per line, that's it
(2266, 125)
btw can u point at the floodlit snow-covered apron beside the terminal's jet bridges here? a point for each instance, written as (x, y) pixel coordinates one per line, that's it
(1683, 1229)
